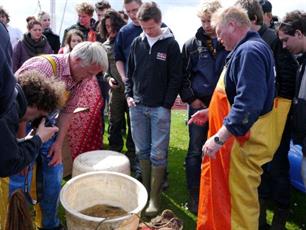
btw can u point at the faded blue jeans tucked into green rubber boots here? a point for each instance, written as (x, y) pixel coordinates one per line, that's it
(151, 133)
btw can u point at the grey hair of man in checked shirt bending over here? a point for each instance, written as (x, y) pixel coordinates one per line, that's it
(91, 53)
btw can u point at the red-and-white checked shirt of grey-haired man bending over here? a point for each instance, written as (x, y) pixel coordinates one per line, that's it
(63, 73)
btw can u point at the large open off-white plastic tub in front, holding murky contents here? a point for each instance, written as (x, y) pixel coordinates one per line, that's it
(110, 188)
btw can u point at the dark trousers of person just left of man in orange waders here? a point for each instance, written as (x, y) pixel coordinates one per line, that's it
(193, 160)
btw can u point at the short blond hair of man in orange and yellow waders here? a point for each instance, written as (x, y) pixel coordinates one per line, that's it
(234, 13)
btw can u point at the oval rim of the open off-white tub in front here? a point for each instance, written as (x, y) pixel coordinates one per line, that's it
(77, 214)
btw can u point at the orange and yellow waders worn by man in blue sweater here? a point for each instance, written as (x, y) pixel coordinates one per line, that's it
(228, 189)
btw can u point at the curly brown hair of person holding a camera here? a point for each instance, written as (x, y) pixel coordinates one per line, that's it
(46, 94)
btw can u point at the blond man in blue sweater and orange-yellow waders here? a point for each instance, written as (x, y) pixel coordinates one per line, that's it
(244, 127)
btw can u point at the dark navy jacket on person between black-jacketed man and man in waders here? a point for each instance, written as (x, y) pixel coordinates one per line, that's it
(203, 62)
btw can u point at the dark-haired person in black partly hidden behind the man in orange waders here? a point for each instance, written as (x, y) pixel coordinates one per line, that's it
(275, 180)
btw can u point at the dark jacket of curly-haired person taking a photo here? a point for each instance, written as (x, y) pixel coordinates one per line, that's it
(15, 156)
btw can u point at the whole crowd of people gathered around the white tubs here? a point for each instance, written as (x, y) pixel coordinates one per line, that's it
(242, 75)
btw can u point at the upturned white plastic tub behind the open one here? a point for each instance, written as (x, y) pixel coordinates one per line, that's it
(101, 160)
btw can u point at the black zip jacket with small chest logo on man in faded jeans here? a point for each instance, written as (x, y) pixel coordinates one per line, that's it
(154, 74)
